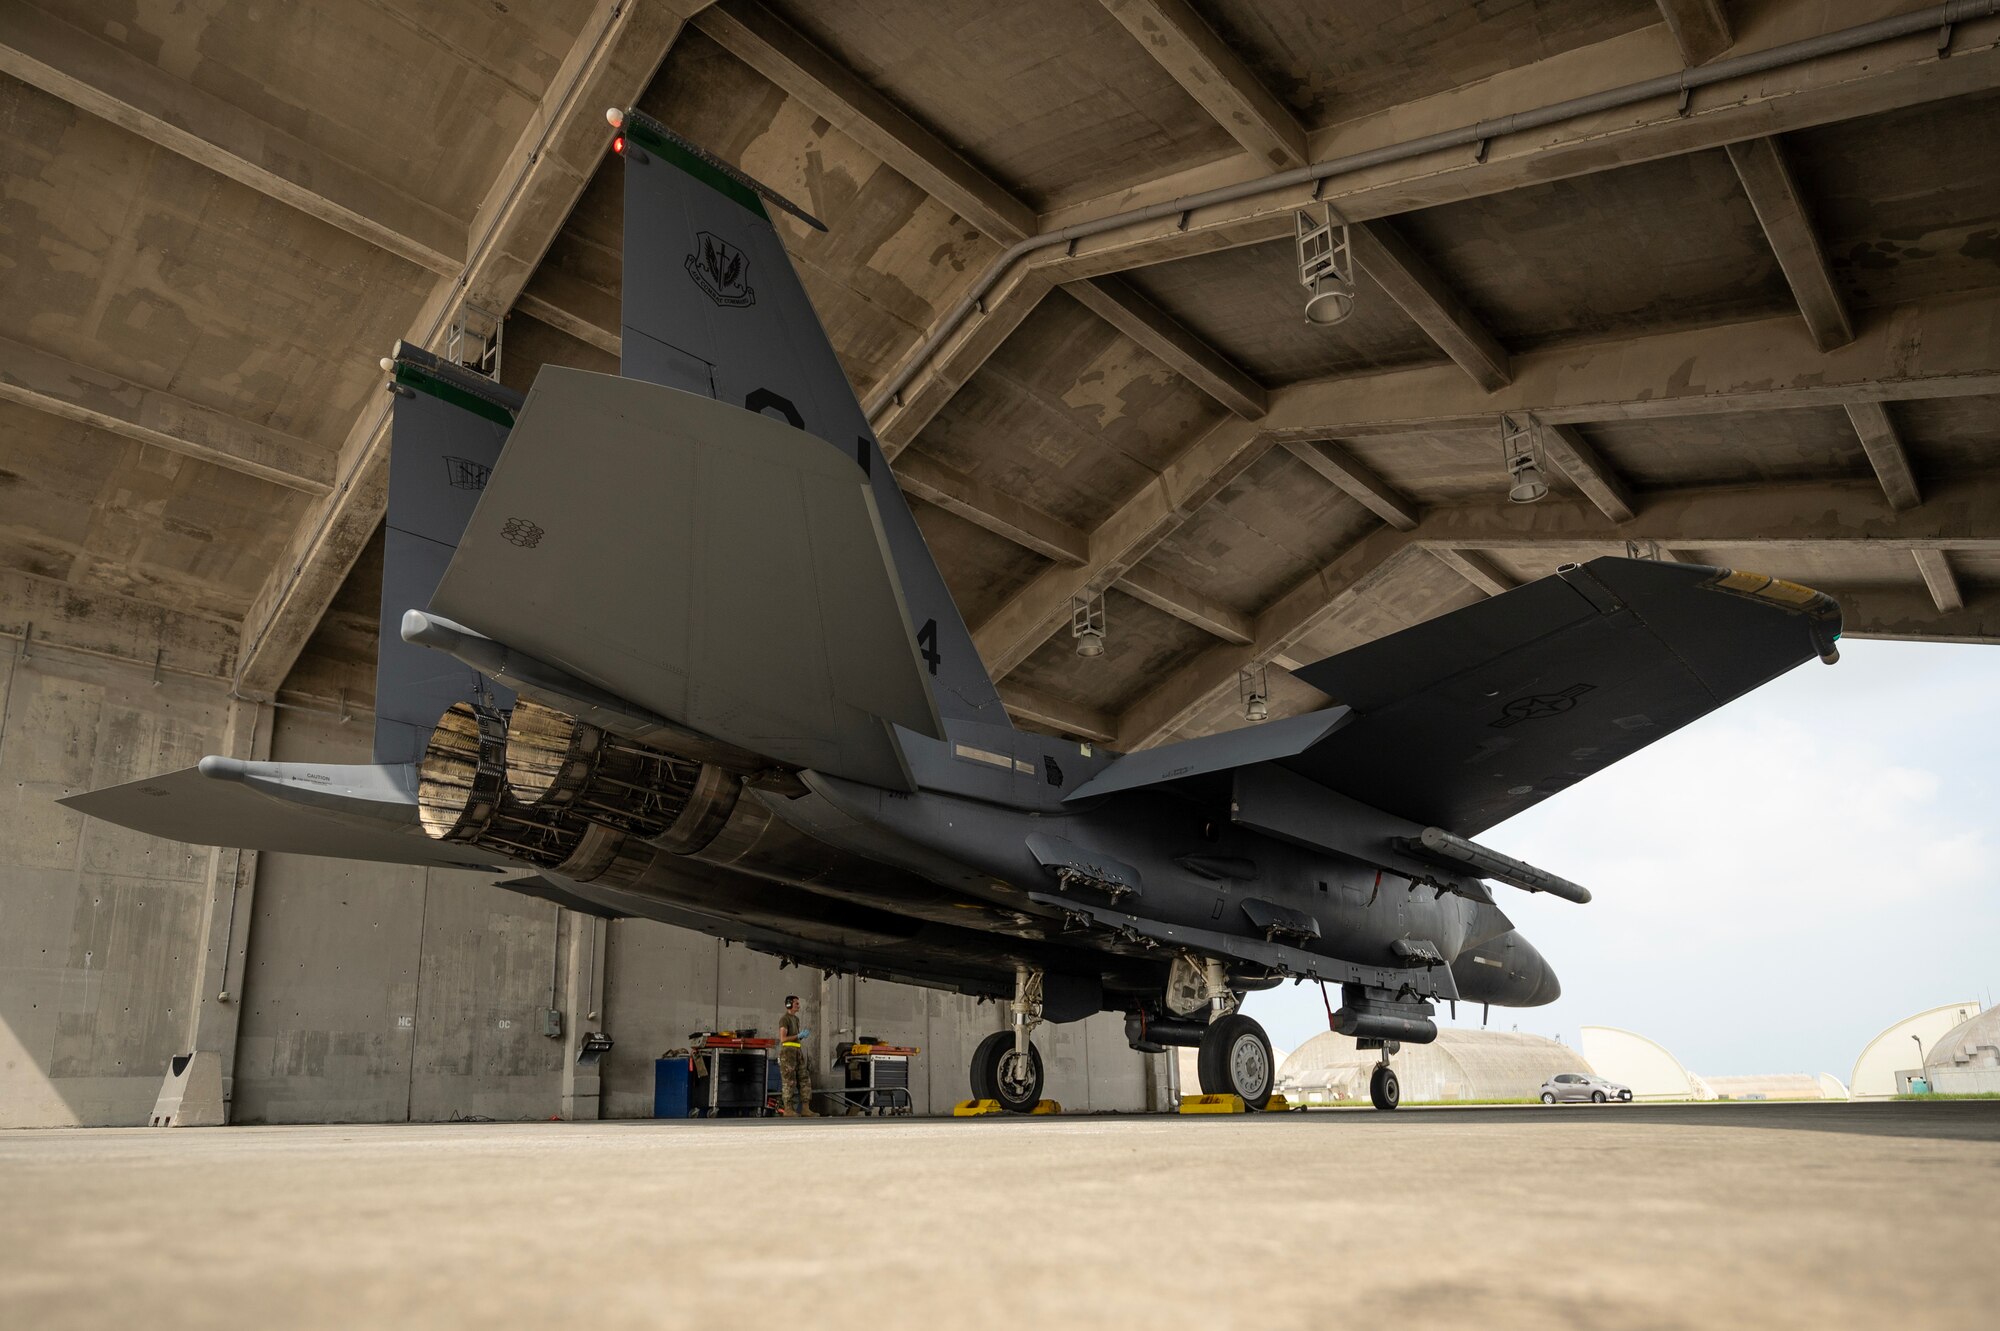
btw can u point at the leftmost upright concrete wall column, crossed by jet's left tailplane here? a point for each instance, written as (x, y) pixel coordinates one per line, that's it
(219, 978)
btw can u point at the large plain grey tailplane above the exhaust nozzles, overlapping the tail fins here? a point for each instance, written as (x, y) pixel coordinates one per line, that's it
(703, 563)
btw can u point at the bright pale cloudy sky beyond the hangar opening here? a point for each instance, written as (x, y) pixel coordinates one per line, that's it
(1777, 882)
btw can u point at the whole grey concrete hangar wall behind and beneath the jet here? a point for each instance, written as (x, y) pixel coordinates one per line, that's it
(365, 992)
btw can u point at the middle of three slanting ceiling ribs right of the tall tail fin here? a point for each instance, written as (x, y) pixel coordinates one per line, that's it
(1161, 507)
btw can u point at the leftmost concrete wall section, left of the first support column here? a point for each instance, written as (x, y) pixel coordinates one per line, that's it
(101, 930)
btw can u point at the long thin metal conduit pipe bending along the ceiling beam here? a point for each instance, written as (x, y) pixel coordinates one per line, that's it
(1687, 81)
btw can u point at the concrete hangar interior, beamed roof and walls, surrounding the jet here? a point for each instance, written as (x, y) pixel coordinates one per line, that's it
(1739, 307)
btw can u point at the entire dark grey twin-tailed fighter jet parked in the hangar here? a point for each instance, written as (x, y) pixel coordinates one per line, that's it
(669, 645)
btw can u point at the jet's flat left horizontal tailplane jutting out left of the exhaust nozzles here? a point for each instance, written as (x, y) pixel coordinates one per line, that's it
(299, 808)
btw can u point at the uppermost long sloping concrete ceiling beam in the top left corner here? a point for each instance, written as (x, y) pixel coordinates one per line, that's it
(139, 97)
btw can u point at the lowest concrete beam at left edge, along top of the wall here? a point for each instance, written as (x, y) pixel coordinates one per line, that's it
(115, 627)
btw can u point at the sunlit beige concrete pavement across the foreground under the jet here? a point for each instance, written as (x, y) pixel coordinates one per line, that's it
(1621, 1216)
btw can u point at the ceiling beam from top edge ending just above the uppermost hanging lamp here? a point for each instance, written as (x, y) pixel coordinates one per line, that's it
(1215, 77)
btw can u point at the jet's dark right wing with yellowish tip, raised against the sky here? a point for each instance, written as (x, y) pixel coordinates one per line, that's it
(1475, 716)
